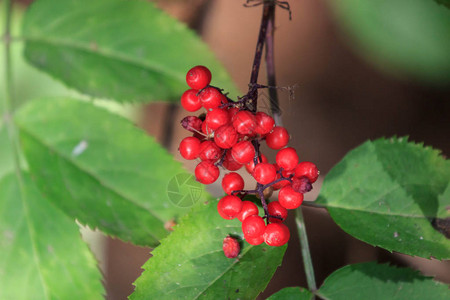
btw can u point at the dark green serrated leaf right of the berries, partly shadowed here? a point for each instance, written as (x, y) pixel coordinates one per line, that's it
(388, 192)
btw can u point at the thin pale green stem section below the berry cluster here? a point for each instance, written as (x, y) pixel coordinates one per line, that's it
(306, 254)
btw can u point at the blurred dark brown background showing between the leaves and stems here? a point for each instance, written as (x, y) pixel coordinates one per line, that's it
(340, 102)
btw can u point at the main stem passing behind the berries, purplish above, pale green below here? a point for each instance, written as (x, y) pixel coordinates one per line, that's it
(274, 106)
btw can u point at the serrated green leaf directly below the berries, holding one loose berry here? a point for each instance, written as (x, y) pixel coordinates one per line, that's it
(190, 264)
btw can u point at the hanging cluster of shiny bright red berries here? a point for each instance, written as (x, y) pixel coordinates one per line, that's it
(228, 135)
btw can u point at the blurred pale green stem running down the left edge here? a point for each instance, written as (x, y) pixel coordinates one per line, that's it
(7, 99)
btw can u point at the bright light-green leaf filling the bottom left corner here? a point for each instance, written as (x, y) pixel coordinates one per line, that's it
(43, 256)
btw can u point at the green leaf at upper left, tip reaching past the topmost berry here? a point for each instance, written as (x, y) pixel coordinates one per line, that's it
(127, 50)
